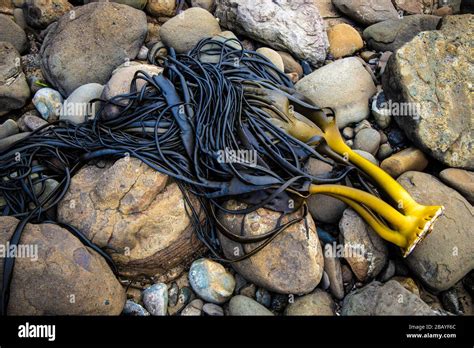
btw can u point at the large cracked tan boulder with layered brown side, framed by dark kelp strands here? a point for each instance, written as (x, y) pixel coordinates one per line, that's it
(135, 213)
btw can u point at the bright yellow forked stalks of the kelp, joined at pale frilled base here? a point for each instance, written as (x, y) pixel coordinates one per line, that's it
(407, 222)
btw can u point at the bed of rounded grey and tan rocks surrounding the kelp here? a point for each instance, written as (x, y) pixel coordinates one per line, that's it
(366, 59)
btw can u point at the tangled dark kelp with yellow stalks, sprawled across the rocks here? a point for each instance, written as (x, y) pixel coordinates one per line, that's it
(216, 100)
